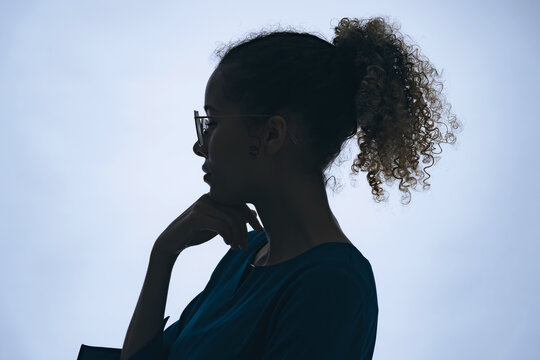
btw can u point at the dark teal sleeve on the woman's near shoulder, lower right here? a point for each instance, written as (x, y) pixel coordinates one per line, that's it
(325, 314)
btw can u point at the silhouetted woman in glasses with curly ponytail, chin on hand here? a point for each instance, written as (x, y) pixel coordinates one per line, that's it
(280, 106)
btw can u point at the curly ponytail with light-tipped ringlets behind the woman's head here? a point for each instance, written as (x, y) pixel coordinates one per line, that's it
(398, 106)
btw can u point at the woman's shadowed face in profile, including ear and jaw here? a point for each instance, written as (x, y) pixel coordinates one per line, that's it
(241, 163)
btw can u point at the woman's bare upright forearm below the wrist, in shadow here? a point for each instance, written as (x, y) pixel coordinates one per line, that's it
(147, 319)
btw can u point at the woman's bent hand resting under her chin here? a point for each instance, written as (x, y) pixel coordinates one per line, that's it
(205, 219)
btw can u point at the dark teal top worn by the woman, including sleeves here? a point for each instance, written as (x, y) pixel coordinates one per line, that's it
(321, 304)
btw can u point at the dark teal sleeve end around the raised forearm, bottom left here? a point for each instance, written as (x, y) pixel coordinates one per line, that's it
(157, 348)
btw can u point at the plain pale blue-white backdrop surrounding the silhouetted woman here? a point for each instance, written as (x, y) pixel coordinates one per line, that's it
(96, 136)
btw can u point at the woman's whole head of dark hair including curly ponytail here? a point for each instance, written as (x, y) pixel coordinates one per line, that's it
(367, 82)
